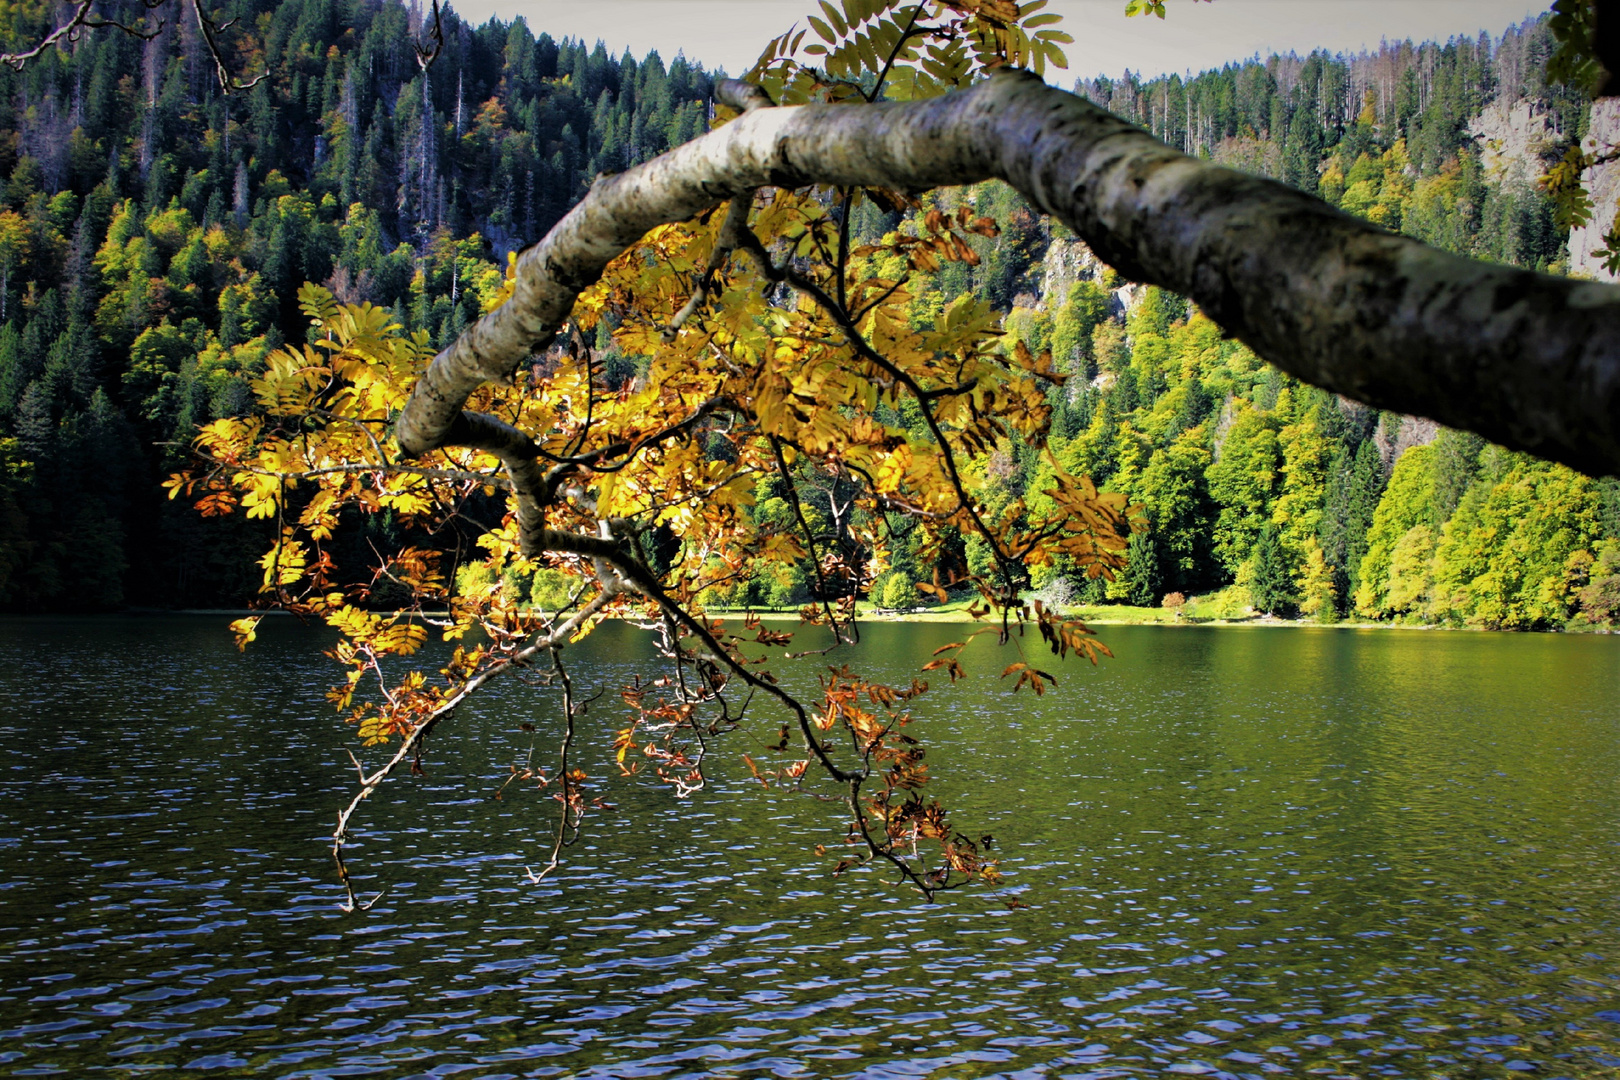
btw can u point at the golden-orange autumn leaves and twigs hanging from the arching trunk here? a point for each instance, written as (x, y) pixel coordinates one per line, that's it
(778, 355)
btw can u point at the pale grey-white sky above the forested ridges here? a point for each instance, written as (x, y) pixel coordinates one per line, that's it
(1193, 38)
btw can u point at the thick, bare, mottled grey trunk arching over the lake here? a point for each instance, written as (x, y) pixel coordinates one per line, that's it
(1527, 360)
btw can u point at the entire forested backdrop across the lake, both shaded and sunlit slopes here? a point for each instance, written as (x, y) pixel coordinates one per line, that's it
(155, 232)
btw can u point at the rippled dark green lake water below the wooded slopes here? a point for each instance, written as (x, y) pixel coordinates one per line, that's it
(1245, 853)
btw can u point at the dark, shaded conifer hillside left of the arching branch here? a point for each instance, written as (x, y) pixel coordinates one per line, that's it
(155, 234)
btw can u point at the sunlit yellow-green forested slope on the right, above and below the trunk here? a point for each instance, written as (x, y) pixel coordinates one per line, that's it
(1311, 504)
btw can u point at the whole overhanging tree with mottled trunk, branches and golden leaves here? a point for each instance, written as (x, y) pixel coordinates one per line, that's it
(728, 265)
